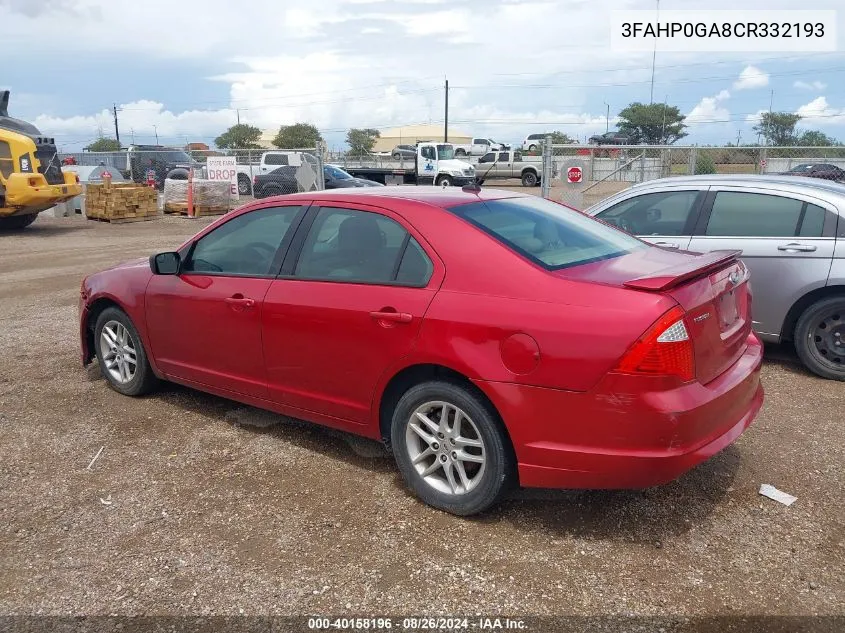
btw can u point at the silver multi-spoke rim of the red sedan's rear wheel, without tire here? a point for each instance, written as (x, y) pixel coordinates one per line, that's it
(445, 447)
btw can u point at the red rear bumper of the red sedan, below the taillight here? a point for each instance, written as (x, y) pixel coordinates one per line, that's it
(613, 438)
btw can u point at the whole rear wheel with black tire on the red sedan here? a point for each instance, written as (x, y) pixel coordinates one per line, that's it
(489, 468)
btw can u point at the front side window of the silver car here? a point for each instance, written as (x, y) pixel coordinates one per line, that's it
(663, 213)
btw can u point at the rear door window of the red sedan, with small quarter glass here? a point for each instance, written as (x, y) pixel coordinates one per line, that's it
(356, 246)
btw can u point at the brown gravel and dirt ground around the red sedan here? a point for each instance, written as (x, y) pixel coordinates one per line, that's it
(199, 505)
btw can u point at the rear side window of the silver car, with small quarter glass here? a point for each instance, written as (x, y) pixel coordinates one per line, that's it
(757, 215)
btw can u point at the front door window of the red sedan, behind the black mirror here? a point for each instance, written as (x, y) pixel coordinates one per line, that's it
(245, 245)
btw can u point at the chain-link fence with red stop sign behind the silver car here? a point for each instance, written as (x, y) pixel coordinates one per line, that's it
(585, 174)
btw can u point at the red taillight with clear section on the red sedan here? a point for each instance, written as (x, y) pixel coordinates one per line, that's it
(664, 350)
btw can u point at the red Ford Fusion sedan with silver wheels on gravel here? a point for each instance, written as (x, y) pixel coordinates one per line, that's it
(490, 339)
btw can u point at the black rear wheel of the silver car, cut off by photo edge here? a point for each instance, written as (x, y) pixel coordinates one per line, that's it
(817, 332)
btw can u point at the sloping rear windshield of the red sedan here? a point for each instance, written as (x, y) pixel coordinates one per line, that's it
(547, 233)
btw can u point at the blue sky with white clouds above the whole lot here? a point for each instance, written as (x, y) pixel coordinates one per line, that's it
(186, 71)
